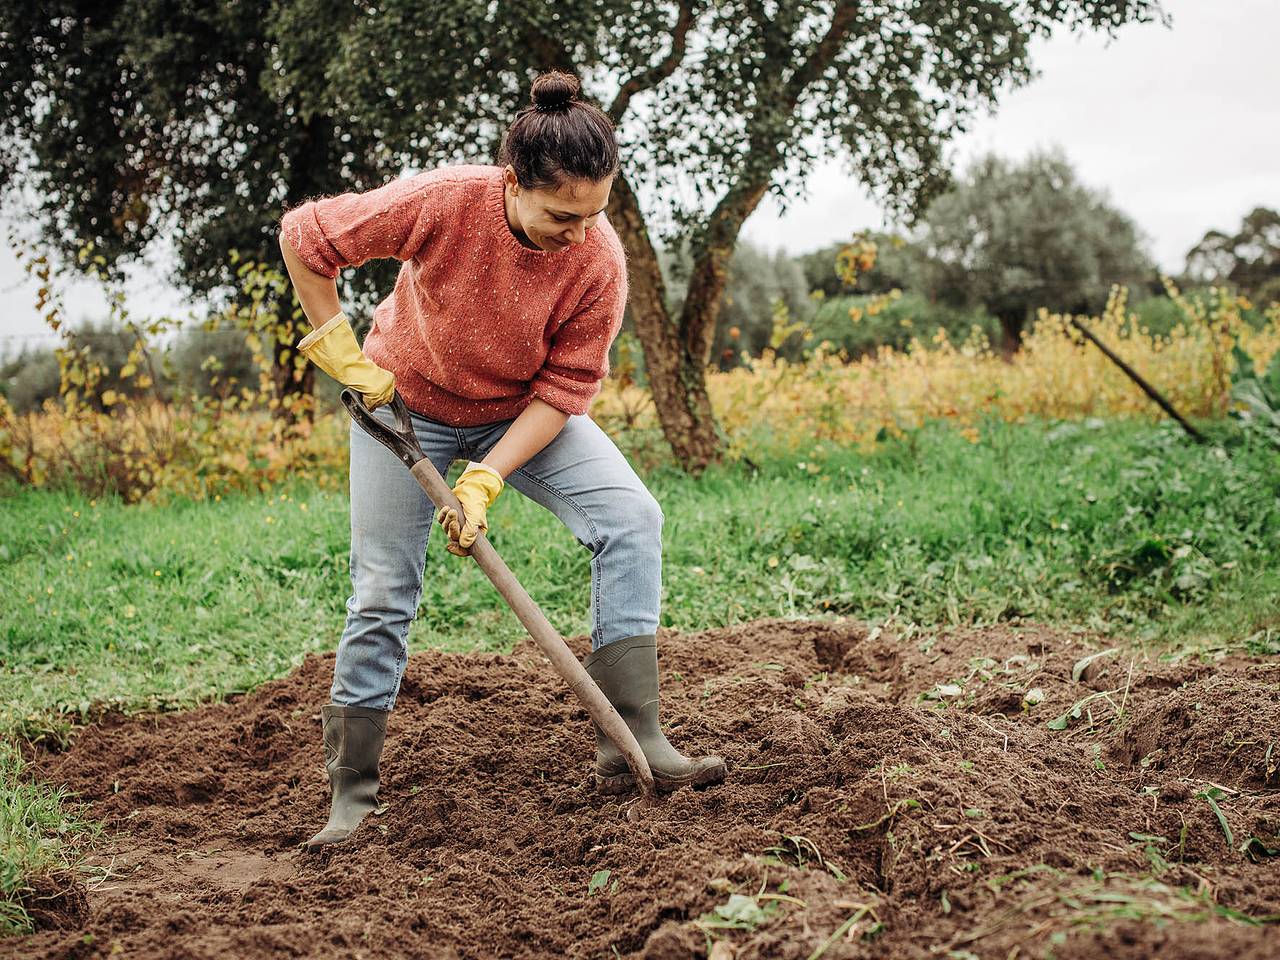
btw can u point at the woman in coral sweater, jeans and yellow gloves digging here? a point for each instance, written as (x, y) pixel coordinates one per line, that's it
(497, 337)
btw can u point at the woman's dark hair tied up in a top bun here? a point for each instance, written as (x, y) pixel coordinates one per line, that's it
(560, 138)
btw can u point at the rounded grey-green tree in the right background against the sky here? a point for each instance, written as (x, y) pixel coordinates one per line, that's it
(1014, 237)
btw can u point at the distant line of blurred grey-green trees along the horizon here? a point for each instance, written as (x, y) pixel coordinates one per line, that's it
(1004, 241)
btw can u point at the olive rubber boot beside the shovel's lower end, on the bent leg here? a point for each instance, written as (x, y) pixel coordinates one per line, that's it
(627, 671)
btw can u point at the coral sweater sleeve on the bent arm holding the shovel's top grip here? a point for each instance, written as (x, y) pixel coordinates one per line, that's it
(353, 228)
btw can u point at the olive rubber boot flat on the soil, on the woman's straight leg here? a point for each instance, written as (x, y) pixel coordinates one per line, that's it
(353, 744)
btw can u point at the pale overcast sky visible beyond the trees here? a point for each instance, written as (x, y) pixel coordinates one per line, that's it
(1180, 127)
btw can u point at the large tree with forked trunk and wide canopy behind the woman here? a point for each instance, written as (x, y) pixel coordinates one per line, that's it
(717, 104)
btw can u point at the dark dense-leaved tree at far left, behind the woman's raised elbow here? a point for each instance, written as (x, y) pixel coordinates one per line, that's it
(136, 120)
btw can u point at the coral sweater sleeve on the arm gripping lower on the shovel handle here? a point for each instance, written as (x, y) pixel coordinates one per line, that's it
(579, 356)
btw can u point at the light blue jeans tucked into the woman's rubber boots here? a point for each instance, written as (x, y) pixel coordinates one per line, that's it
(580, 477)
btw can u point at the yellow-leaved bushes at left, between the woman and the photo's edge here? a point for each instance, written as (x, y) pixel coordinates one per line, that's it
(120, 424)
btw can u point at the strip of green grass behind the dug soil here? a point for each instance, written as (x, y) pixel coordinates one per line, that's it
(1123, 528)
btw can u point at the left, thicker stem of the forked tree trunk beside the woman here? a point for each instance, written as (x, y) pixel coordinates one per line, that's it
(676, 378)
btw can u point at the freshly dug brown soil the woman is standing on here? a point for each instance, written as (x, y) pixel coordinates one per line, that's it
(889, 797)
